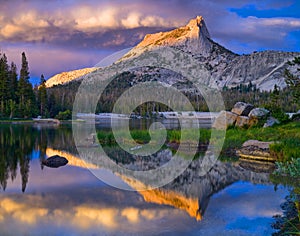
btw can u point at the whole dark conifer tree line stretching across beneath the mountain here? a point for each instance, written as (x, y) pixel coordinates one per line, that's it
(19, 99)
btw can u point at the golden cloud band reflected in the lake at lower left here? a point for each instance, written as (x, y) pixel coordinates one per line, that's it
(100, 215)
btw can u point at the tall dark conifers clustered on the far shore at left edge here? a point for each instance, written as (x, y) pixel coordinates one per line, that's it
(18, 98)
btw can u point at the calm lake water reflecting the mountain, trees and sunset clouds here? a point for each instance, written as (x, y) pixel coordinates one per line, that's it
(231, 199)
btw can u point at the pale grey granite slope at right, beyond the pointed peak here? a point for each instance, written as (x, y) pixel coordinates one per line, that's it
(265, 69)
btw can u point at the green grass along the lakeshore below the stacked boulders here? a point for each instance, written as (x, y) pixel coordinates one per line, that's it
(286, 138)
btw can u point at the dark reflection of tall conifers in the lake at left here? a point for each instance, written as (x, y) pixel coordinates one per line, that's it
(18, 144)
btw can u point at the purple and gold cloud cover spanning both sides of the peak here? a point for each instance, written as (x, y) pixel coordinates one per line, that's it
(98, 24)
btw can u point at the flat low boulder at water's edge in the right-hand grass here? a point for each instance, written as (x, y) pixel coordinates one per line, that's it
(256, 150)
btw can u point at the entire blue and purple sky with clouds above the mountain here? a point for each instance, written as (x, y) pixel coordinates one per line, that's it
(62, 35)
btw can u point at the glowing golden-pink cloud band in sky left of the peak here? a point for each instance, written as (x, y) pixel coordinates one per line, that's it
(54, 26)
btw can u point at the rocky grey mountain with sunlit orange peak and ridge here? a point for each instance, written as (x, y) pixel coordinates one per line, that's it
(223, 67)
